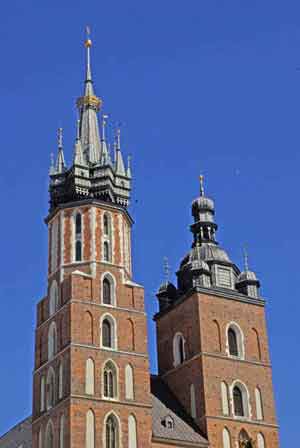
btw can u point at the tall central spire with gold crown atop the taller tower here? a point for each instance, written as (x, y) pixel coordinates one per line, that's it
(88, 106)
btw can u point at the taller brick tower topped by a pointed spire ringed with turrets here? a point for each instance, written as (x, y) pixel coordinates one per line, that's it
(91, 376)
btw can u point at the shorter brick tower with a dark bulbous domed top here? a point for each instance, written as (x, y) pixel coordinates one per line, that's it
(212, 342)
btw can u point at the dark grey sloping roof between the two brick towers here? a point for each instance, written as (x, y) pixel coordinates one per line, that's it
(165, 405)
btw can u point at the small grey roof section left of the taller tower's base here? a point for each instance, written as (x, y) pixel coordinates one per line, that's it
(19, 436)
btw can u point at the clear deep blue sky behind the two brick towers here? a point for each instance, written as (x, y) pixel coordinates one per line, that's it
(201, 86)
